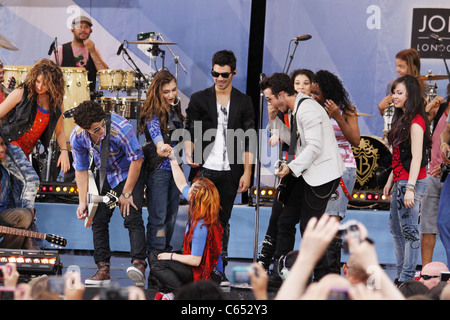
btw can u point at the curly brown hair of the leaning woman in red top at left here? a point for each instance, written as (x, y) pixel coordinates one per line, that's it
(52, 77)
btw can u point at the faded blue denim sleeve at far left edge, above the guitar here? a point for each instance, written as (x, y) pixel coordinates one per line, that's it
(24, 179)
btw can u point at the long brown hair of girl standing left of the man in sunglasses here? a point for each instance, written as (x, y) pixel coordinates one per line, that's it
(154, 104)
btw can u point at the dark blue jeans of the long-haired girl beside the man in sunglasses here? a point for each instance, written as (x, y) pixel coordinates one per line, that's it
(163, 198)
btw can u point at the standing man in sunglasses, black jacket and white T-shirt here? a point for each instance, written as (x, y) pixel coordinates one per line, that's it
(225, 158)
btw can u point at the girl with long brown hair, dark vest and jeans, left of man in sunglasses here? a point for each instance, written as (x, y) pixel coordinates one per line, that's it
(160, 116)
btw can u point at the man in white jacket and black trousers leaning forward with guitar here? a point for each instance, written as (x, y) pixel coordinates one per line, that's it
(313, 169)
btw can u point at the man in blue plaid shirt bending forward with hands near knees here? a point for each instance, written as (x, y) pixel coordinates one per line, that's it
(123, 165)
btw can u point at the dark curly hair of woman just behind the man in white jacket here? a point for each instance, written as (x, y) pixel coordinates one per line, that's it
(332, 88)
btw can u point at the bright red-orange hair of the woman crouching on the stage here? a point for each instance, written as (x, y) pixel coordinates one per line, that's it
(204, 203)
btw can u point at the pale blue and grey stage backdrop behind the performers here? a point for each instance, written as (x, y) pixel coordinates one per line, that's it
(355, 39)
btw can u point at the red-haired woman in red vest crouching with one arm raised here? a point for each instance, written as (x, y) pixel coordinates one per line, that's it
(202, 244)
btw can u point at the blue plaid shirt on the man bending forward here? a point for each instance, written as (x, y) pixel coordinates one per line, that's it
(124, 147)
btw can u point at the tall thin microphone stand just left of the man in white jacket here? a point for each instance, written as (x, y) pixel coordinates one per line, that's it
(258, 174)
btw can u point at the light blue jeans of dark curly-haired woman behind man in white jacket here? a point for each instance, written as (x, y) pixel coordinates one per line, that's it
(337, 205)
